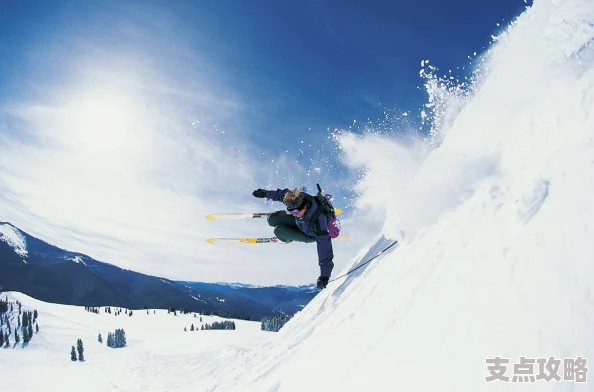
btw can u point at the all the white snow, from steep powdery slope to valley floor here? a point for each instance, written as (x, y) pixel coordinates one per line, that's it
(496, 253)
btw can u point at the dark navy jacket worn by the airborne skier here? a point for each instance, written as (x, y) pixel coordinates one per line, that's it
(312, 229)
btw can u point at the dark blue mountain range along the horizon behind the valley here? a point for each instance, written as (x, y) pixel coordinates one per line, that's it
(48, 273)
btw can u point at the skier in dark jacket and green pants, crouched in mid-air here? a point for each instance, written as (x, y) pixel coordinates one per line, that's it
(304, 222)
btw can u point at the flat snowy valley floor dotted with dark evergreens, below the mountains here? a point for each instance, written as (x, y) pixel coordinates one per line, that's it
(159, 356)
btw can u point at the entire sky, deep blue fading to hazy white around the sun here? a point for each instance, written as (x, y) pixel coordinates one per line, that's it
(126, 122)
